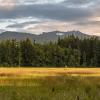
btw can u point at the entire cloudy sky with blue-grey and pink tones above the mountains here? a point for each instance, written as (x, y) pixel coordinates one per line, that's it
(37, 16)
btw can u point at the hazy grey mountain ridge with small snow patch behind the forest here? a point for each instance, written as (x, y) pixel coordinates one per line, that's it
(44, 37)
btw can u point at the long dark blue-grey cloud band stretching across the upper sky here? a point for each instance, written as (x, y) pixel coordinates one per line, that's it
(48, 11)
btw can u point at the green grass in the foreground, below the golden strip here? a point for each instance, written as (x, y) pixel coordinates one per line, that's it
(50, 88)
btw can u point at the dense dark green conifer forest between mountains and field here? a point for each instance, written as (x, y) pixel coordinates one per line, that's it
(68, 52)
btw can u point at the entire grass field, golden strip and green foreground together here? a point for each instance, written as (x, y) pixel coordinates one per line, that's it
(49, 84)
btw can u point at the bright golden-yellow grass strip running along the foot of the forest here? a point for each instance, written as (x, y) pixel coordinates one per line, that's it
(34, 72)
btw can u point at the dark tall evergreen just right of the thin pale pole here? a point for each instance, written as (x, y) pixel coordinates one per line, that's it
(26, 49)
